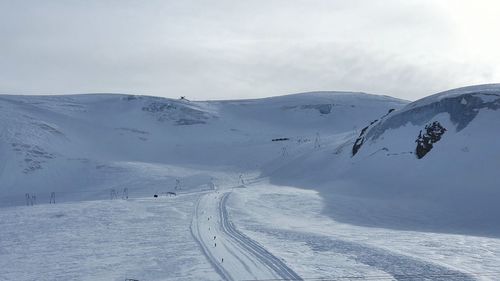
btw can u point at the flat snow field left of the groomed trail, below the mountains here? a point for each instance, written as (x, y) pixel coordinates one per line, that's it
(141, 239)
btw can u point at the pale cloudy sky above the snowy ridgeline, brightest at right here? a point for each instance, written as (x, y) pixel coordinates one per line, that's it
(233, 49)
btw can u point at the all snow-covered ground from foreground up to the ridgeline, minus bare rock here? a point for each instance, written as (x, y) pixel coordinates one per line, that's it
(272, 181)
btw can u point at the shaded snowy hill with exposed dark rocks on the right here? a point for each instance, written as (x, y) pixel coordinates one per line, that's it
(378, 177)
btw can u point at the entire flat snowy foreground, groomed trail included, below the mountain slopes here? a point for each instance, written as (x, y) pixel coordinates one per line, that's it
(262, 232)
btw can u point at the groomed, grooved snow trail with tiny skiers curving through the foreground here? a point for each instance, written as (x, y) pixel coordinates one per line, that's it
(234, 255)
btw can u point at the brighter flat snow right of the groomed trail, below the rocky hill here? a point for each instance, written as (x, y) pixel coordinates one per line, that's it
(290, 222)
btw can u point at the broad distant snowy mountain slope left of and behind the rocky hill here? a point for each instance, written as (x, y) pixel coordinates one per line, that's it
(81, 146)
